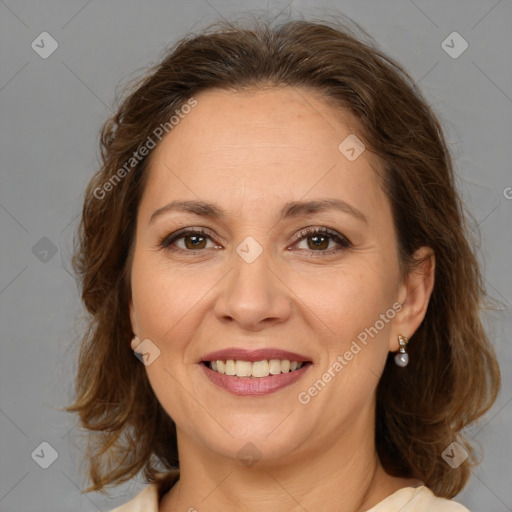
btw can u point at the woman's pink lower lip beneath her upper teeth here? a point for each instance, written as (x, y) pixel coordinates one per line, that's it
(246, 386)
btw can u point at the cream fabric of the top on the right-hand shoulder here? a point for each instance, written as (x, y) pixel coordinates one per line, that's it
(417, 499)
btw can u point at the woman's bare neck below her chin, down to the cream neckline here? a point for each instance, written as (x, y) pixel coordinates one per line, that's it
(336, 475)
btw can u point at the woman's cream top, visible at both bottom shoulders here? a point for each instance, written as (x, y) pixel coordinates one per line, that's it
(408, 499)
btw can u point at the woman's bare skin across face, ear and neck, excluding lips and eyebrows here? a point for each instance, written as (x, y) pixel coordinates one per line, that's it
(249, 153)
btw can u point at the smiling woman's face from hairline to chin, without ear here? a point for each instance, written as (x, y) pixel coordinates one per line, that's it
(260, 279)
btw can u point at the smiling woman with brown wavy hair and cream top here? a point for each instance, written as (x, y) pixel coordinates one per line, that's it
(276, 235)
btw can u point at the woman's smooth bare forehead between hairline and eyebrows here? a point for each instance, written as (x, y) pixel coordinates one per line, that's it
(259, 147)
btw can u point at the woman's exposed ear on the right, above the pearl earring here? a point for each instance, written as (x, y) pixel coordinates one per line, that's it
(414, 295)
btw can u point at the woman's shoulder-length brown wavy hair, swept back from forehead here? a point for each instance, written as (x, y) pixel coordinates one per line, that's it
(453, 376)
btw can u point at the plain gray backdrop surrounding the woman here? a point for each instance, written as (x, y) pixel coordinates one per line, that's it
(51, 111)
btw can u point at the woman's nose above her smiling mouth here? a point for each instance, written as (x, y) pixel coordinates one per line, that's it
(253, 295)
